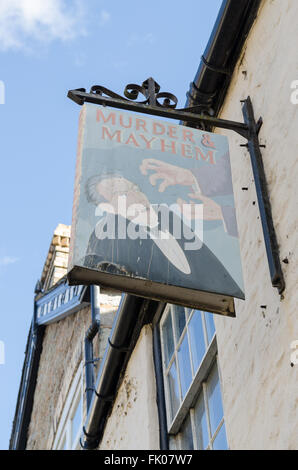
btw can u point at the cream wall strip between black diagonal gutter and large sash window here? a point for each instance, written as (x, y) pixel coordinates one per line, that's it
(133, 423)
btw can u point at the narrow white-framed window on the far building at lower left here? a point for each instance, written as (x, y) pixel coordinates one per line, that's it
(71, 422)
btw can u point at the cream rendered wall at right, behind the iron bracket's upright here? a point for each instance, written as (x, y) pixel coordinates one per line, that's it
(260, 388)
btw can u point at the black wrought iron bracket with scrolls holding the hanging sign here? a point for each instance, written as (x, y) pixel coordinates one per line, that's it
(164, 104)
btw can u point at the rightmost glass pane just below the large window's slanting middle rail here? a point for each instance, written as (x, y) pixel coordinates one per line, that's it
(214, 400)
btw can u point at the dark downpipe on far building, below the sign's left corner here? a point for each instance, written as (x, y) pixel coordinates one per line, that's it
(90, 335)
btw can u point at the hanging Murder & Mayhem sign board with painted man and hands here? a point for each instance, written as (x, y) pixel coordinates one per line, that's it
(153, 211)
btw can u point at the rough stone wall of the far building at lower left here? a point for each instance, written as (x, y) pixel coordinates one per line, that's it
(62, 353)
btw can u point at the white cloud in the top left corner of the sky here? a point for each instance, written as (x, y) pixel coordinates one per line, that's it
(42, 20)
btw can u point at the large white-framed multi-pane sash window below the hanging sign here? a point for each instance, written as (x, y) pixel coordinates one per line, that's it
(192, 387)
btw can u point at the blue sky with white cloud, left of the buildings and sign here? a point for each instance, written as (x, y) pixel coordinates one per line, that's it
(46, 48)
